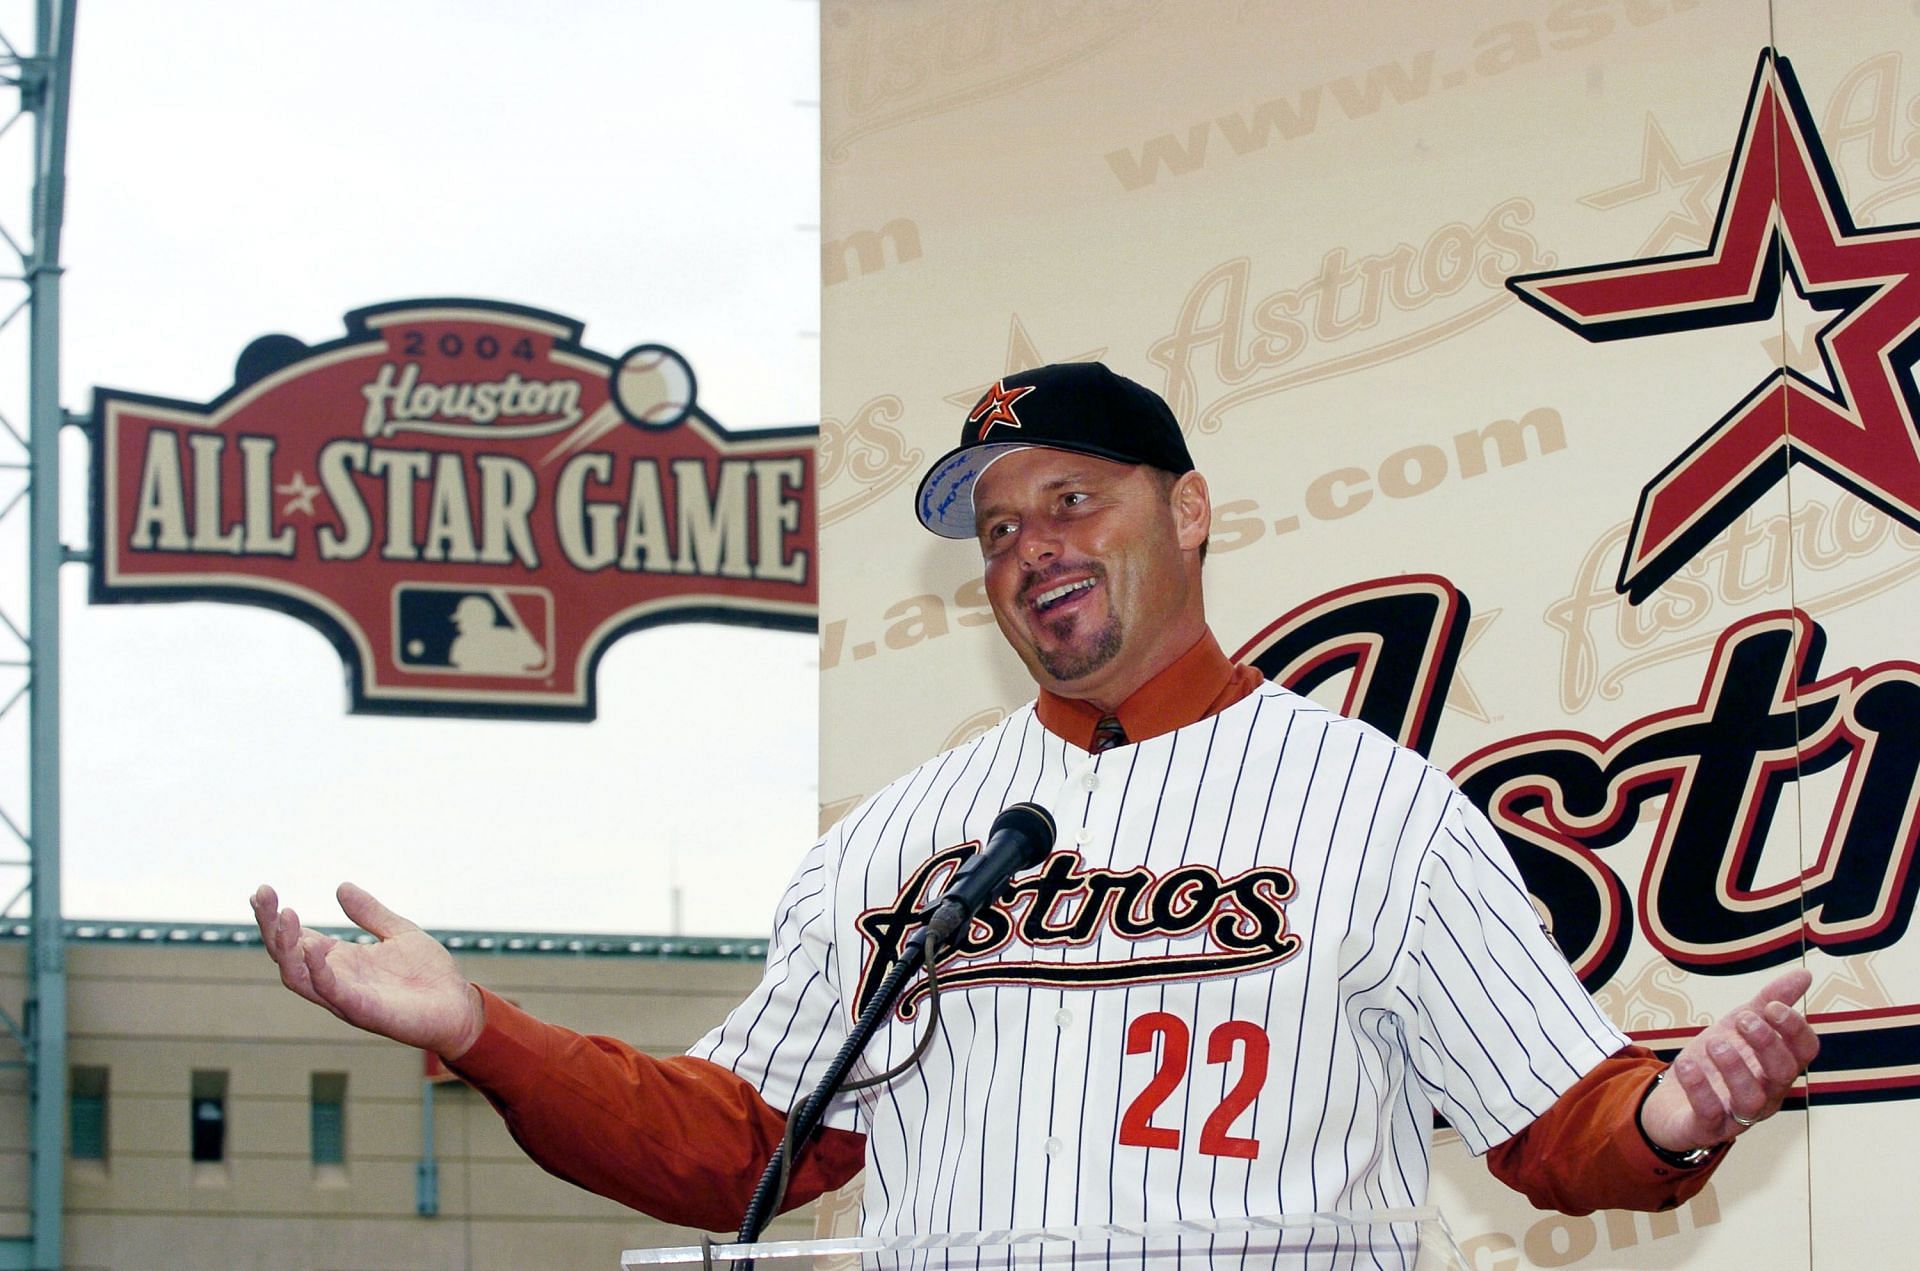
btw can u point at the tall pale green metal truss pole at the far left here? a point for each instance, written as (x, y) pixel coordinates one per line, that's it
(45, 95)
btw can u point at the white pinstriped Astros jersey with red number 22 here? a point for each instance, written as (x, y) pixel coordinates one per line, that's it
(1268, 946)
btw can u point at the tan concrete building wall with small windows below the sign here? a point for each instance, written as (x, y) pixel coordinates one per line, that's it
(153, 1015)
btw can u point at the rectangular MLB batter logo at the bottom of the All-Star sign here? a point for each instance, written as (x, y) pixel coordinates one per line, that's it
(473, 631)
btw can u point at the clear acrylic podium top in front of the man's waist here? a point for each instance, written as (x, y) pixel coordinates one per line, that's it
(1401, 1239)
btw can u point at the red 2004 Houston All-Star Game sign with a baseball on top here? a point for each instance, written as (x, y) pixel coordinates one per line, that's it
(464, 498)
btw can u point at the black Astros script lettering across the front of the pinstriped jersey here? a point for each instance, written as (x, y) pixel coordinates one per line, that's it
(1068, 903)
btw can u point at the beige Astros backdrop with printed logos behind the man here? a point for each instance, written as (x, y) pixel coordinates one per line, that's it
(1299, 224)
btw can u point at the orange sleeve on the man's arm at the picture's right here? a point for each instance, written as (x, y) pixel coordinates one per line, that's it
(1587, 1151)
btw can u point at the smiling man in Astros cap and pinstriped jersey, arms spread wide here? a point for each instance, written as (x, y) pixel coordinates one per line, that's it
(1268, 947)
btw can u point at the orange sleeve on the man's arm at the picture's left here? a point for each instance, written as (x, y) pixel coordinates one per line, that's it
(681, 1139)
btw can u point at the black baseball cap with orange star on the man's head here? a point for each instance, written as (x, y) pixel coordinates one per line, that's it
(1076, 406)
